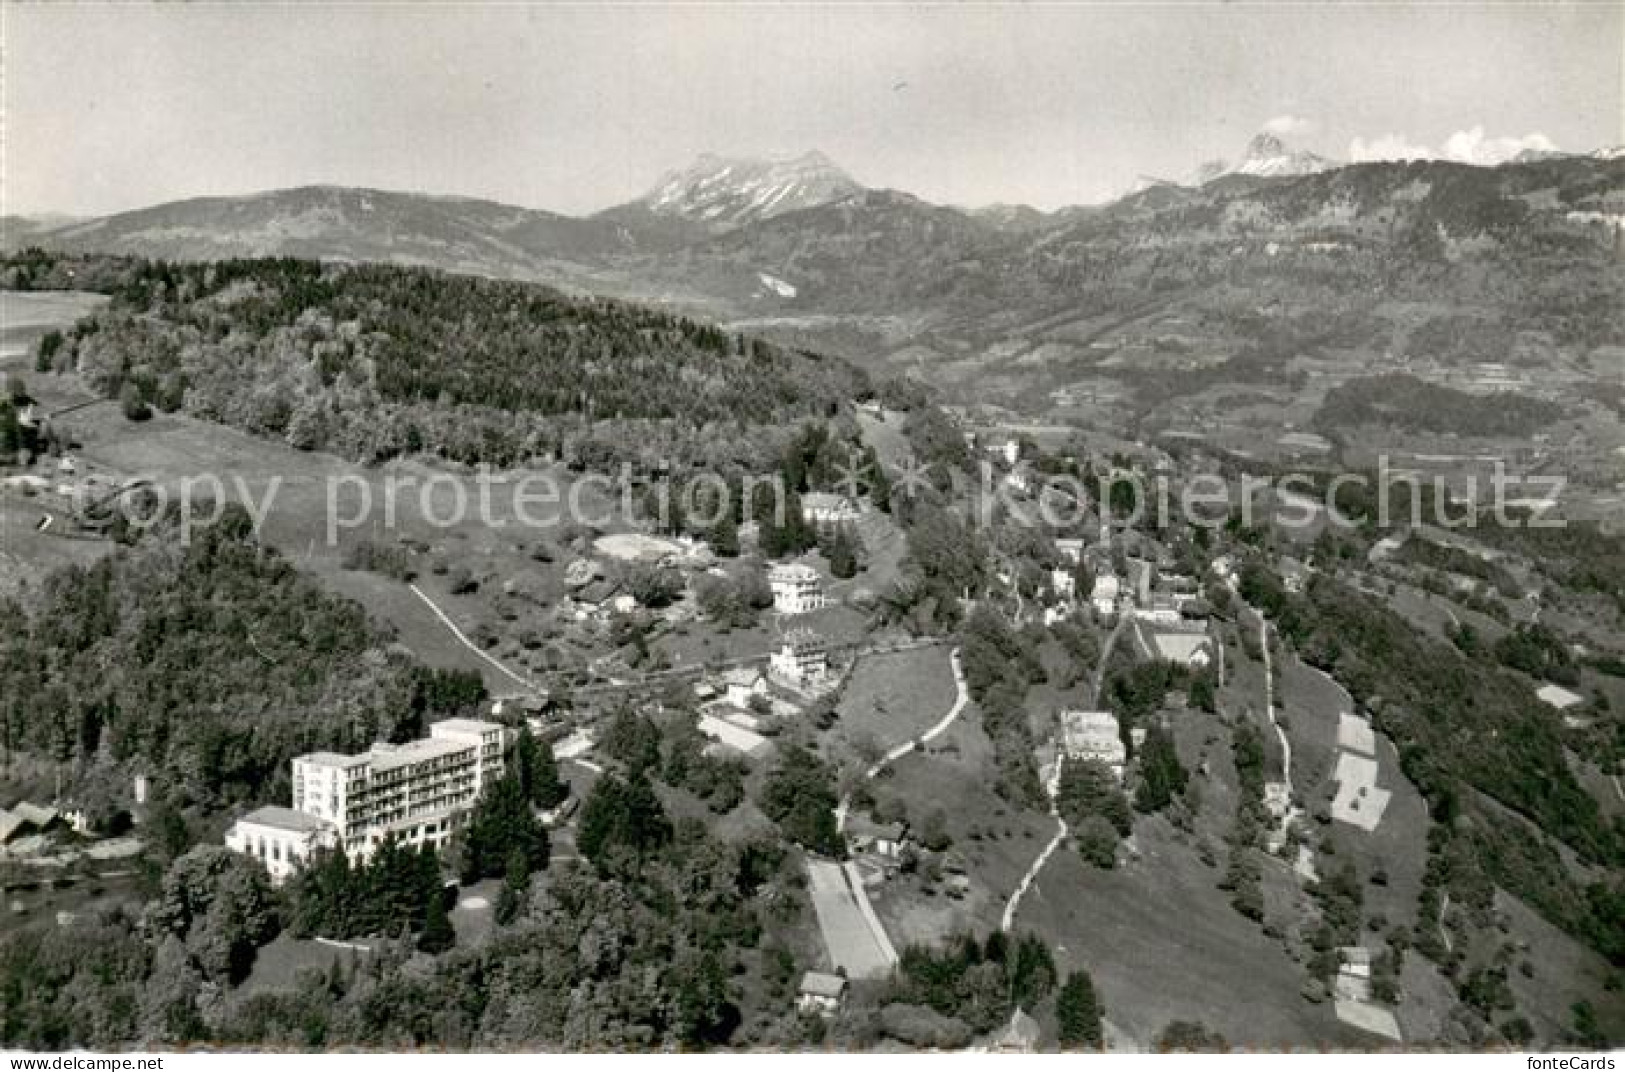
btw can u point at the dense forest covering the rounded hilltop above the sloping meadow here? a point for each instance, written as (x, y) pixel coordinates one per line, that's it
(375, 361)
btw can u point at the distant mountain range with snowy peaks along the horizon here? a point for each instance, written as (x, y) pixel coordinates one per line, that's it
(800, 251)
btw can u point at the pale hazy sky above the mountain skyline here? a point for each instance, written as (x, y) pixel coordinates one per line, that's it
(576, 108)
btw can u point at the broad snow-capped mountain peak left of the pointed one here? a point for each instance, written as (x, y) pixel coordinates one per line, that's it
(730, 192)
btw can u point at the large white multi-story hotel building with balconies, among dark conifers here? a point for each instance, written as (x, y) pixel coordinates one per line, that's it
(415, 792)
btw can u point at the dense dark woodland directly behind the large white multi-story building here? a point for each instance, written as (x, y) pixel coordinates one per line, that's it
(206, 667)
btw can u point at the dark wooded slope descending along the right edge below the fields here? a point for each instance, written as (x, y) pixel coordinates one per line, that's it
(1480, 746)
